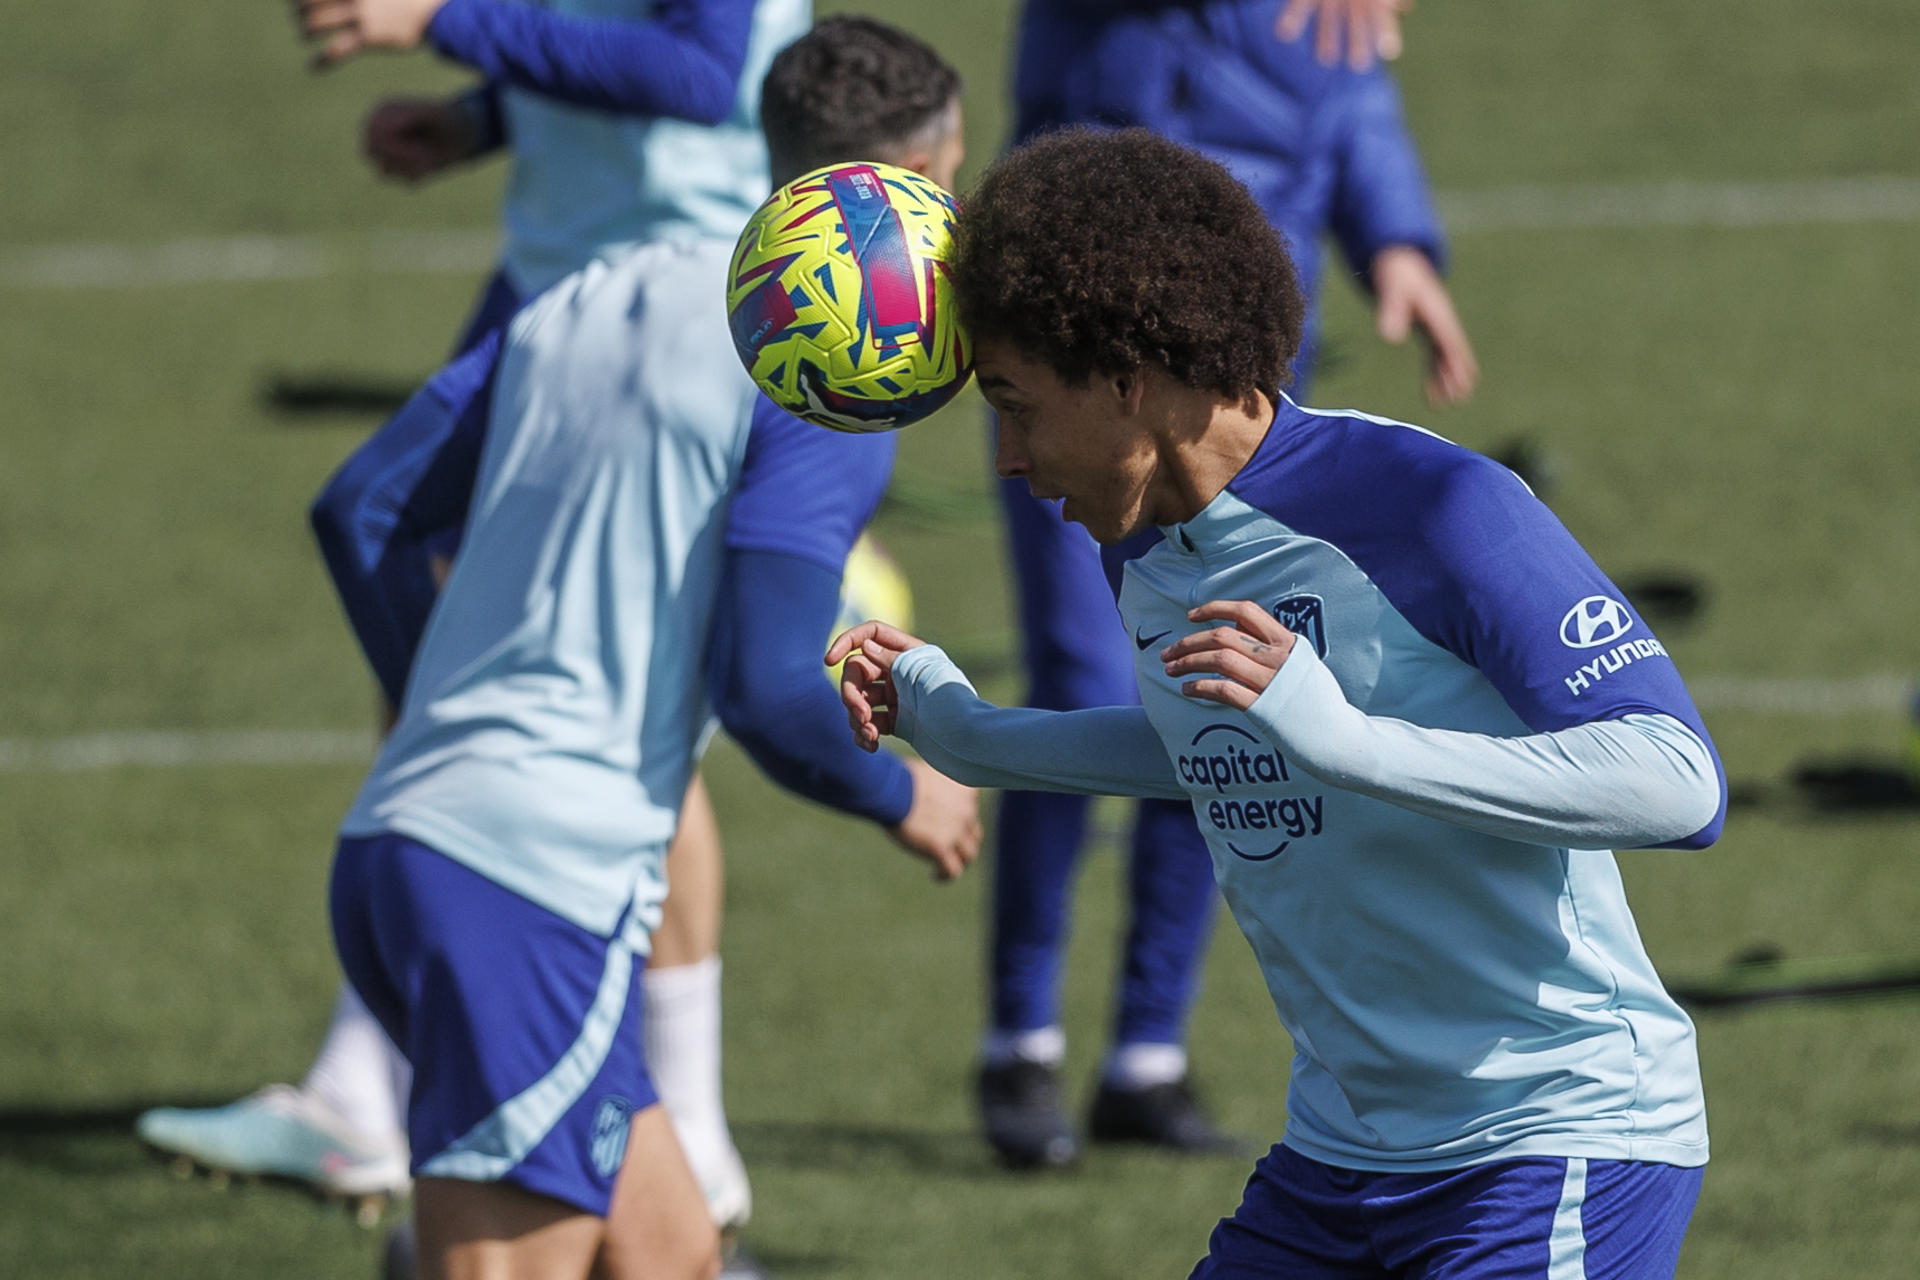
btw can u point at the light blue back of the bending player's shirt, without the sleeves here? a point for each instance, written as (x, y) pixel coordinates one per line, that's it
(556, 707)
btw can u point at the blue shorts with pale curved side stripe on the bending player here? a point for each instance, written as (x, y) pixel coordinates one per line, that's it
(523, 1028)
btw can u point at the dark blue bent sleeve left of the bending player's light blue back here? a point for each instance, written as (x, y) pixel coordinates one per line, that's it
(395, 502)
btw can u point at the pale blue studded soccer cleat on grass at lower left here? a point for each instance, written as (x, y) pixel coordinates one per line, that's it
(283, 1133)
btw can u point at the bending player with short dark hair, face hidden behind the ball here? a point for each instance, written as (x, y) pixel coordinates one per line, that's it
(640, 519)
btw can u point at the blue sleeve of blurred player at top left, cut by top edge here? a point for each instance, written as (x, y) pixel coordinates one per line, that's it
(684, 60)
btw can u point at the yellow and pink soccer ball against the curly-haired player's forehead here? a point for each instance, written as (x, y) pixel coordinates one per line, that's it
(840, 298)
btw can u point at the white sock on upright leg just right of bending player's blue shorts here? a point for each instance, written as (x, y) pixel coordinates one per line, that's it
(683, 1047)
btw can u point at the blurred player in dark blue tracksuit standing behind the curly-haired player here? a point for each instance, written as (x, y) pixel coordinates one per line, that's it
(1324, 149)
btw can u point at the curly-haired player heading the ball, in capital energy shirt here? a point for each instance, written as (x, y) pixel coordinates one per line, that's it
(1406, 707)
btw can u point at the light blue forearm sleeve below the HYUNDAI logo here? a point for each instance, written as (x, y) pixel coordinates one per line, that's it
(1614, 784)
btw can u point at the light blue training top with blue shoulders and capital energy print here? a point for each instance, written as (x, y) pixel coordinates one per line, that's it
(1412, 822)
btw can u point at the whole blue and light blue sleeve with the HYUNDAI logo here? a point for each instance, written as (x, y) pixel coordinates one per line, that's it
(1618, 753)
